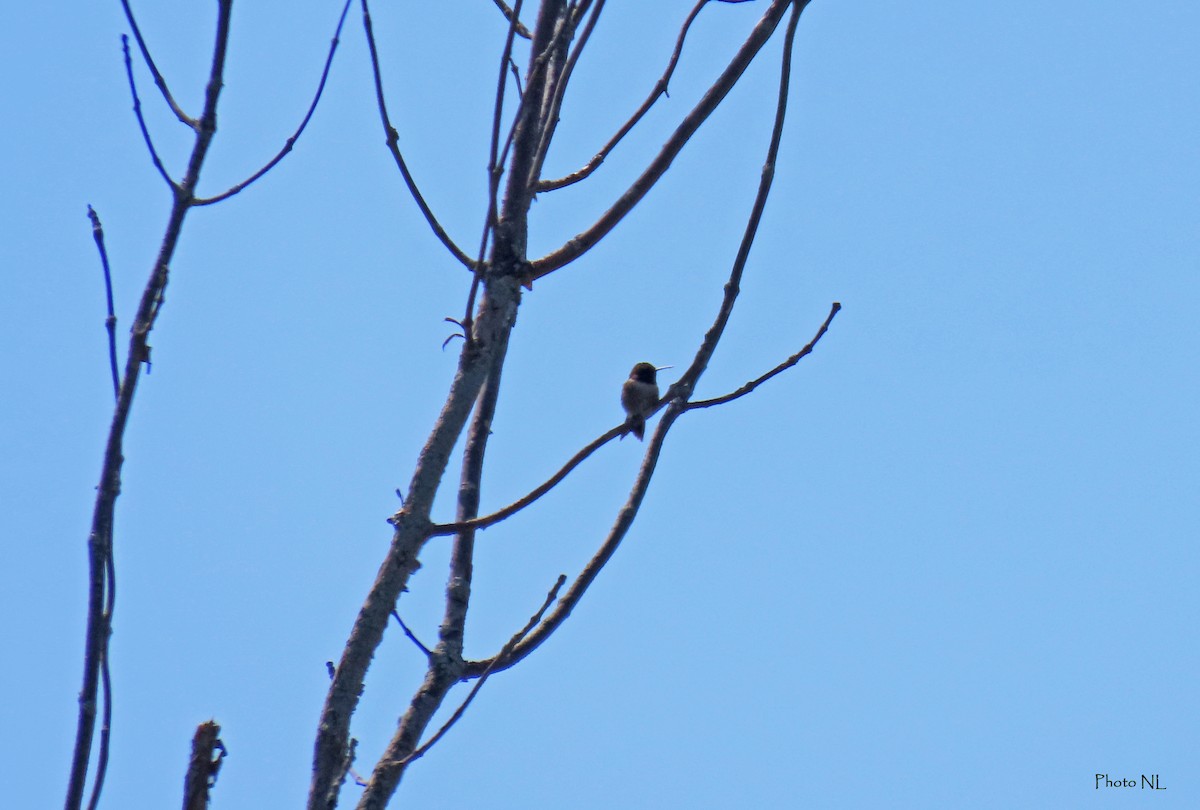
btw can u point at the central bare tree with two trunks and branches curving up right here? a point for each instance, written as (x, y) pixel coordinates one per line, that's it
(477, 385)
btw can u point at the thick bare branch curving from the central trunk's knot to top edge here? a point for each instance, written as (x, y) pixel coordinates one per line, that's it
(584, 242)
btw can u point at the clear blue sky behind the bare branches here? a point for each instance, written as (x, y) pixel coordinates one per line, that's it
(950, 561)
